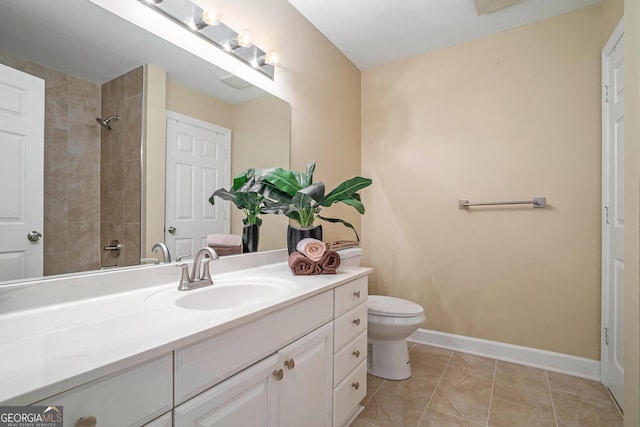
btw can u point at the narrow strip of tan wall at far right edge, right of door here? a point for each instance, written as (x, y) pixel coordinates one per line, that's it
(632, 211)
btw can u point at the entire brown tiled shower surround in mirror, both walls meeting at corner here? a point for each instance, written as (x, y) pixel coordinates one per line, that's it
(91, 189)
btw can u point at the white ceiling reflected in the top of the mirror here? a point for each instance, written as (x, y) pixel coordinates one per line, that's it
(84, 40)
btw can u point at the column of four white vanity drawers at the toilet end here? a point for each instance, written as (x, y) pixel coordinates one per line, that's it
(350, 350)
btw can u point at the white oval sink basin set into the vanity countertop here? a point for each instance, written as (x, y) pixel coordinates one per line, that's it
(227, 294)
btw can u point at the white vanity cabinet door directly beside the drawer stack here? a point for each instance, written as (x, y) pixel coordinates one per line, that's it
(307, 384)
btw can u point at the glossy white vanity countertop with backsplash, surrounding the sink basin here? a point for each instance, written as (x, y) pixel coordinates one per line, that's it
(118, 322)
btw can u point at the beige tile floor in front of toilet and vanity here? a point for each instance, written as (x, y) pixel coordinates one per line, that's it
(453, 389)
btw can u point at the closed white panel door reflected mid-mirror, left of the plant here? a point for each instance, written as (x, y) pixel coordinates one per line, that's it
(198, 163)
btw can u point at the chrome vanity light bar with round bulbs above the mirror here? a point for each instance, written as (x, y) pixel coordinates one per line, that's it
(207, 25)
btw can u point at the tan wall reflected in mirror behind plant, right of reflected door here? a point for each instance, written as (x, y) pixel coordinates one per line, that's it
(261, 134)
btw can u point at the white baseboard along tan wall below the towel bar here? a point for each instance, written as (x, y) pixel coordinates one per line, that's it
(551, 361)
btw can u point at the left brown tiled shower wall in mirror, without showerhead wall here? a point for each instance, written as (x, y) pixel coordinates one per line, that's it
(72, 169)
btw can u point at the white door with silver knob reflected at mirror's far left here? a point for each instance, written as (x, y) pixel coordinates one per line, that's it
(21, 174)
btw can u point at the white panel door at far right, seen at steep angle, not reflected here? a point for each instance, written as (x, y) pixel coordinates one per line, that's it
(612, 370)
